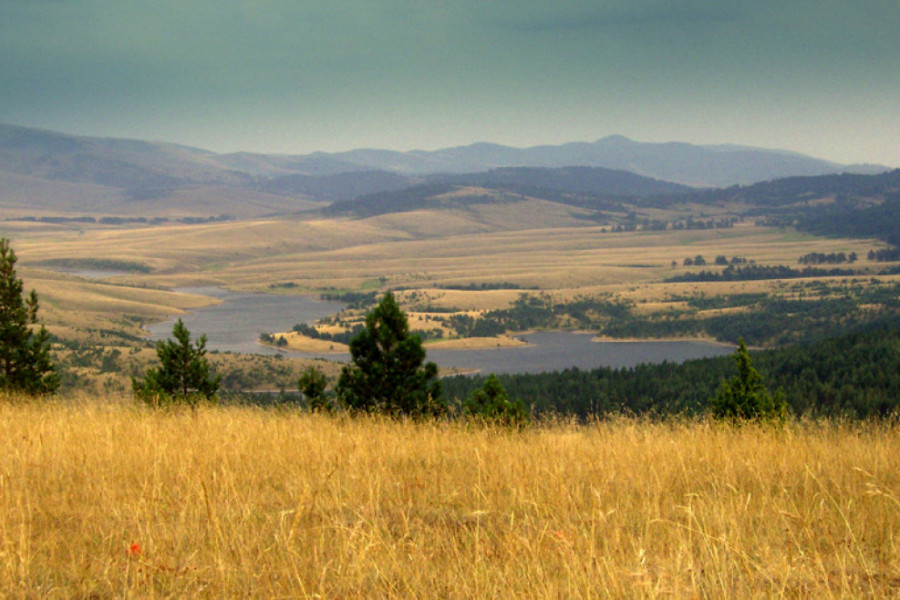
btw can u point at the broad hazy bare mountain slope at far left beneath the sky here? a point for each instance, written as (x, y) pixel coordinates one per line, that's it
(44, 173)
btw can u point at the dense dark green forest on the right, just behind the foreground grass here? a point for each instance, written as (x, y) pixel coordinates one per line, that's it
(853, 375)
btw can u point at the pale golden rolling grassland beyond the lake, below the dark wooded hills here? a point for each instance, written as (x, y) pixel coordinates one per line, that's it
(418, 249)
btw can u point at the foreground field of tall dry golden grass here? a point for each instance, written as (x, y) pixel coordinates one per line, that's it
(256, 503)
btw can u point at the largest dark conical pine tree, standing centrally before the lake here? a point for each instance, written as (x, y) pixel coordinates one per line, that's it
(387, 373)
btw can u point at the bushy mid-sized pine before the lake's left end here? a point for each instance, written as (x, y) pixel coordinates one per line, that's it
(183, 375)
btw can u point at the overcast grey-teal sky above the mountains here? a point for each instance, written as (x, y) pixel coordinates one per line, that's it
(821, 77)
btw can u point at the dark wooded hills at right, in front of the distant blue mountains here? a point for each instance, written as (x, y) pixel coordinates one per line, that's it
(859, 206)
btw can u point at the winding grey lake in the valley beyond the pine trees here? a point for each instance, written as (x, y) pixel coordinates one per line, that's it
(235, 324)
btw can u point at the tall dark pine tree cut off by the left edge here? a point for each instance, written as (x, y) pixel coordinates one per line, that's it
(25, 364)
